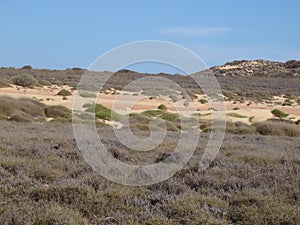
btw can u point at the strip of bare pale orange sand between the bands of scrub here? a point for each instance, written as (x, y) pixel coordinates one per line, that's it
(126, 102)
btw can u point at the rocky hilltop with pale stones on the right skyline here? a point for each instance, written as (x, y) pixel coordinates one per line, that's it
(259, 68)
